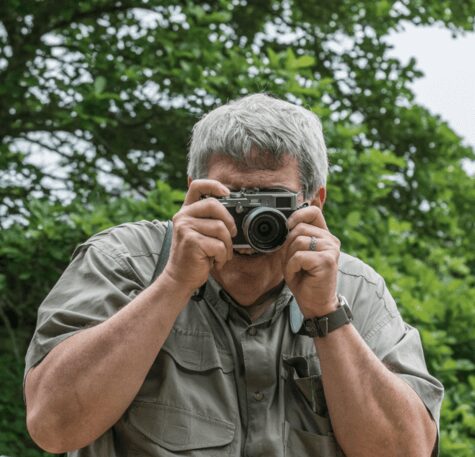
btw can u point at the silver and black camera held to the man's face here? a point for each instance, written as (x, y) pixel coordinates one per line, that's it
(260, 217)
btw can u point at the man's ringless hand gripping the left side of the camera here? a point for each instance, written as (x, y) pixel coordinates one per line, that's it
(202, 235)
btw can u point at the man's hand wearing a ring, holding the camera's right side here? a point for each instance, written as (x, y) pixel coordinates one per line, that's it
(311, 275)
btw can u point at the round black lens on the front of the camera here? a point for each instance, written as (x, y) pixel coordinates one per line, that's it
(265, 229)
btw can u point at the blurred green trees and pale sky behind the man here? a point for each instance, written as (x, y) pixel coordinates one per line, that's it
(97, 101)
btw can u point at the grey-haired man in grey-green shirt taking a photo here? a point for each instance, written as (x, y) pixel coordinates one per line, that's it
(125, 364)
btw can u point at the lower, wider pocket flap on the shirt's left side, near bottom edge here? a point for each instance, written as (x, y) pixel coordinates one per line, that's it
(177, 429)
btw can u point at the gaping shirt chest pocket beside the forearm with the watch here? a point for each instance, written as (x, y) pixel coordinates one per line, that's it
(307, 427)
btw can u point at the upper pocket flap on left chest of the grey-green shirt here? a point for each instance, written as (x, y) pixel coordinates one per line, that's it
(197, 351)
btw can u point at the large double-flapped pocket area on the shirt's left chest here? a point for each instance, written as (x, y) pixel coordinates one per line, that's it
(187, 404)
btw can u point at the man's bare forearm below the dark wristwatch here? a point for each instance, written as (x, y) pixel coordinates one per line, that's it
(373, 412)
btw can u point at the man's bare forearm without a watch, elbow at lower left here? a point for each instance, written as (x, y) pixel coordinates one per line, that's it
(84, 385)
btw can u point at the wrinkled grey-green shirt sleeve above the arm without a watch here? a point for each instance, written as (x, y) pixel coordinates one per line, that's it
(98, 282)
